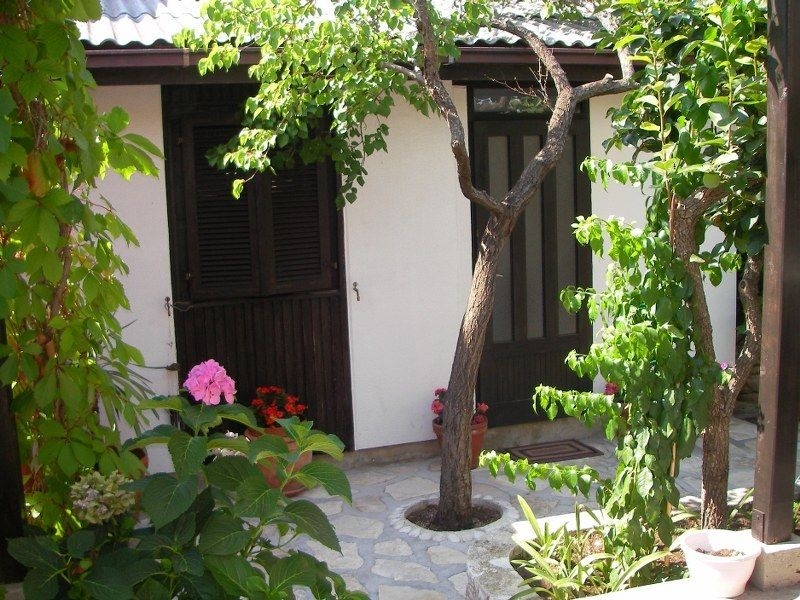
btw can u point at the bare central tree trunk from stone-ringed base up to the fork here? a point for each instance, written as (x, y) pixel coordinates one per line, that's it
(455, 484)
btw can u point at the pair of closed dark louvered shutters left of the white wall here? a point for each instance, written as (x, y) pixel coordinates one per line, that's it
(277, 238)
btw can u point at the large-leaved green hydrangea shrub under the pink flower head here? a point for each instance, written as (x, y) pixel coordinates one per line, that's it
(212, 529)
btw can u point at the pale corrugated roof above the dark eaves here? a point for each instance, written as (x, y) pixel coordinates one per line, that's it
(149, 22)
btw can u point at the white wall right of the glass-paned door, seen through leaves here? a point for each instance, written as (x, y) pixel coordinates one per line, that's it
(628, 202)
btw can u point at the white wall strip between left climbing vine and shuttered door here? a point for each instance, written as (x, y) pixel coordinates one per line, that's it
(142, 204)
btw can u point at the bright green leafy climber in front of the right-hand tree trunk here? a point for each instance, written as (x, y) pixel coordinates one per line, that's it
(656, 405)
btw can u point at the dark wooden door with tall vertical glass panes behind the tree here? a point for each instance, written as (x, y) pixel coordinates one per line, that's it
(530, 333)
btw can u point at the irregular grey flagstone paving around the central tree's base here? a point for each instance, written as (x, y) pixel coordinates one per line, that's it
(391, 559)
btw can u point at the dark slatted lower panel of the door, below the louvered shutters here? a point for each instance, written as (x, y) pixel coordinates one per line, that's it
(288, 341)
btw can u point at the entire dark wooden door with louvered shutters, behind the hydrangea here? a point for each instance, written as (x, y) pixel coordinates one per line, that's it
(257, 282)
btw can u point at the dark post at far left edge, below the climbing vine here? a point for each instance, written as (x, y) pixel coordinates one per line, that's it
(11, 495)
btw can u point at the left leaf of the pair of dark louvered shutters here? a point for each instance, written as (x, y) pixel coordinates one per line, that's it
(223, 255)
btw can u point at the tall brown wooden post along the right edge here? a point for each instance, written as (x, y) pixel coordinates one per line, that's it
(779, 393)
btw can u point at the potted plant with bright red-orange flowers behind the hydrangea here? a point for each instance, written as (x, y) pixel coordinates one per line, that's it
(271, 406)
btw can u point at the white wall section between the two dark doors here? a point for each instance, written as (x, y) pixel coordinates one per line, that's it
(408, 247)
